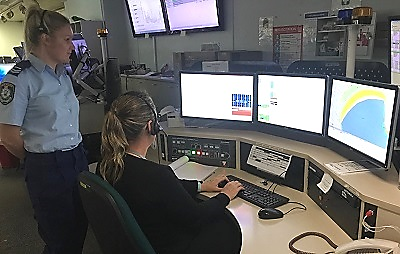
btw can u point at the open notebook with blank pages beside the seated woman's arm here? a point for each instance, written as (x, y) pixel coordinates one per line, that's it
(189, 170)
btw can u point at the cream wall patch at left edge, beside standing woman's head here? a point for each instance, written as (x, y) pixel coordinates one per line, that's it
(11, 35)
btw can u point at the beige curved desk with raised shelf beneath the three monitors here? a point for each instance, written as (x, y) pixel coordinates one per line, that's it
(378, 189)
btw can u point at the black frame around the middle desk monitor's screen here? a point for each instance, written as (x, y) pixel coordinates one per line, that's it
(280, 128)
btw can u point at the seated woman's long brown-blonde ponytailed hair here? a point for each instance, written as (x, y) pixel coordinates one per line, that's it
(125, 121)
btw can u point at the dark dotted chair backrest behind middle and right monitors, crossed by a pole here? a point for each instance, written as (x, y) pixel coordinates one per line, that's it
(374, 71)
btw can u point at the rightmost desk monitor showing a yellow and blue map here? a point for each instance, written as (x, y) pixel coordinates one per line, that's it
(363, 116)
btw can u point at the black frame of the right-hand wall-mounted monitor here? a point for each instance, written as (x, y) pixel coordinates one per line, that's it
(220, 27)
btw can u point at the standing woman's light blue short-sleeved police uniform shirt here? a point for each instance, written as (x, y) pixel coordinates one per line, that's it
(42, 102)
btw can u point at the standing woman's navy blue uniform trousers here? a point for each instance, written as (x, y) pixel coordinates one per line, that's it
(51, 179)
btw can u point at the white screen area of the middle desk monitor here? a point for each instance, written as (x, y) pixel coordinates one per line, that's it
(294, 102)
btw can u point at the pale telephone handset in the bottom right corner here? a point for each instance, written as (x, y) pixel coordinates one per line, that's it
(369, 246)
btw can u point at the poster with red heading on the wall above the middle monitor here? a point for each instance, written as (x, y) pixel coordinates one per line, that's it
(287, 44)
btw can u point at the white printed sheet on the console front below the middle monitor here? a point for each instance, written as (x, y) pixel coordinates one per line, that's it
(268, 160)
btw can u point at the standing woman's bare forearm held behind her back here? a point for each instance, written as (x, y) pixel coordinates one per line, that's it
(11, 138)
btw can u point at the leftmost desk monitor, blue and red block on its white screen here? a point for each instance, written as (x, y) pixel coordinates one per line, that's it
(222, 96)
